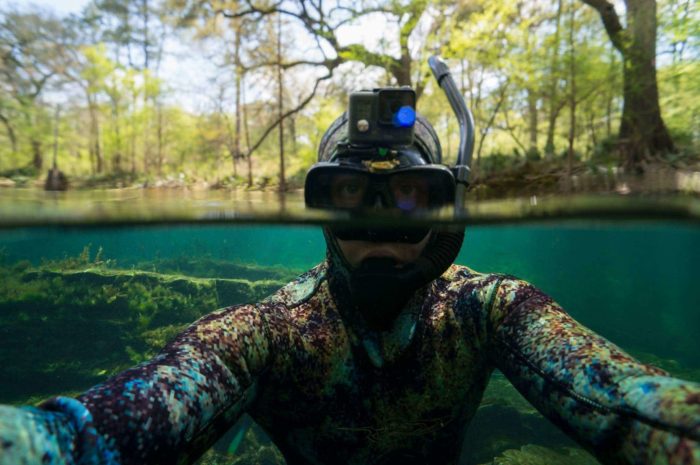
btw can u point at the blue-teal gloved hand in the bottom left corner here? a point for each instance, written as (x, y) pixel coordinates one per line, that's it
(60, 432)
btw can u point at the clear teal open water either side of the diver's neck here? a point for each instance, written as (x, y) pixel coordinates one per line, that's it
(635, 283)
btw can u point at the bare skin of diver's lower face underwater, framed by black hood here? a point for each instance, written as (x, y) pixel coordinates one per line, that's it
(356, 252)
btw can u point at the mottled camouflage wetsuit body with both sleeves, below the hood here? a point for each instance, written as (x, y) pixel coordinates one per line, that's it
(329, 391)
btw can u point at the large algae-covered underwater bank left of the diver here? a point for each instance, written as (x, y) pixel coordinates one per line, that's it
(78, 321)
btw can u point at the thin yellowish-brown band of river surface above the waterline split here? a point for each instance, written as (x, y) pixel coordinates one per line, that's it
(30, 207)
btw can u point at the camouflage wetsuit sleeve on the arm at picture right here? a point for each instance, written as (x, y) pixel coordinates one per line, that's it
(623, 411)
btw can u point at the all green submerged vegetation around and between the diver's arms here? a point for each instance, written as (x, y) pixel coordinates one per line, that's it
(77, 320)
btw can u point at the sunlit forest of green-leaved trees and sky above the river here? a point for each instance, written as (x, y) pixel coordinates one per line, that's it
(238, 94)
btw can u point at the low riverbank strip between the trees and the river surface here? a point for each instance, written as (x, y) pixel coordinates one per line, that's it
(512, 179)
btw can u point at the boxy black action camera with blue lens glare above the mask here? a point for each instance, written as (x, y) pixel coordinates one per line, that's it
(382, 117)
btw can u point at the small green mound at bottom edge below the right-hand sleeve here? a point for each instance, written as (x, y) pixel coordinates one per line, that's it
(538, 455)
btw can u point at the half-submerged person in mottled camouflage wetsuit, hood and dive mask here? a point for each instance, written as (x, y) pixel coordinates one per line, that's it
(380, 354)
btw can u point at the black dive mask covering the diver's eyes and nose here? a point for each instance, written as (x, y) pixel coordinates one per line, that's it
(368, 181)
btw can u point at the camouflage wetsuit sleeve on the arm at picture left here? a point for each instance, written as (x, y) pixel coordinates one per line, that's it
(166, 411)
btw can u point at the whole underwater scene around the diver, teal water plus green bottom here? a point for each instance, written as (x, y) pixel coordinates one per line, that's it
(80, 303)
